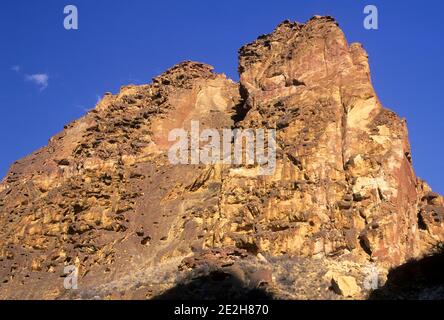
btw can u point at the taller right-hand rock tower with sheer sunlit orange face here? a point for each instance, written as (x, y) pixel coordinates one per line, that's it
(344, 180)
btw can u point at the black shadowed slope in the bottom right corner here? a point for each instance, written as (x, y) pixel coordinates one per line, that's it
(418, 279)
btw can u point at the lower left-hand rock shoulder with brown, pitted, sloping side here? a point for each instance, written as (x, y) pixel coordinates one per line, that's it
(103, 195)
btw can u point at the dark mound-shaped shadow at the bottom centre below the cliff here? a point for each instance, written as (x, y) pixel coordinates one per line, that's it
(214, 286)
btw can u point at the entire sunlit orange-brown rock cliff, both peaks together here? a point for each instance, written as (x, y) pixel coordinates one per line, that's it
(103, 195)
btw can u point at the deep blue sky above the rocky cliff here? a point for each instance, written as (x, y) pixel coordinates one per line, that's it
(122, 42)
